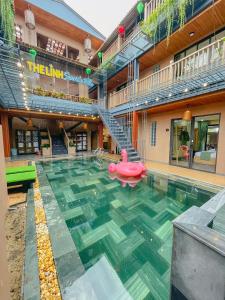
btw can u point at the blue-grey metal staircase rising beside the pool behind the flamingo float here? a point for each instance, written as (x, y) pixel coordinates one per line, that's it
(118, 134)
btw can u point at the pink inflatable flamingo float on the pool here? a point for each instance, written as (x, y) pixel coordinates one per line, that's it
(127, 172)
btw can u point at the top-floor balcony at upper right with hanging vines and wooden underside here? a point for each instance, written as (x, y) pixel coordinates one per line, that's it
(140, 43)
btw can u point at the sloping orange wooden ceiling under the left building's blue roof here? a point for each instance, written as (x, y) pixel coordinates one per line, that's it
(52, 22)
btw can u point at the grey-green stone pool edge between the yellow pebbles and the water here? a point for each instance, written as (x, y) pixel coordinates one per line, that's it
(67, 260)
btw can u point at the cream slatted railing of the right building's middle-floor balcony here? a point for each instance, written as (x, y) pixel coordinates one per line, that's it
(186, 68)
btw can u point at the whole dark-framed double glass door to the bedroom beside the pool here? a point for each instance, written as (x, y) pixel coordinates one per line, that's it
(194, 143)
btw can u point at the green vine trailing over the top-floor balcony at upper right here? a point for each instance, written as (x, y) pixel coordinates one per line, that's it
(166, 10)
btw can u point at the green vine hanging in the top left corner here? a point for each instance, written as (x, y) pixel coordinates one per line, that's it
(7, 19)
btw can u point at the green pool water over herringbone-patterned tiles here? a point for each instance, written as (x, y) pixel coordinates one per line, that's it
(131, 227)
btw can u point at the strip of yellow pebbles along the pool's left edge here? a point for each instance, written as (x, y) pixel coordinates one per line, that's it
(47, 272)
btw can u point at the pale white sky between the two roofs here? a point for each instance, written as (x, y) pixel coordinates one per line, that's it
(104, 15)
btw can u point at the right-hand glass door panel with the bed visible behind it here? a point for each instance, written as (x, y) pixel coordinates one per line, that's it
(205, 142)
